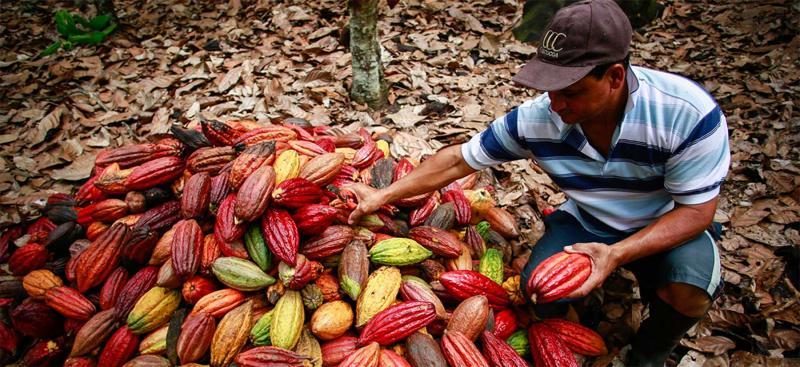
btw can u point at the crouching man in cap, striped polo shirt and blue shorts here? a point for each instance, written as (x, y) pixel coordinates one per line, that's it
(641, 155)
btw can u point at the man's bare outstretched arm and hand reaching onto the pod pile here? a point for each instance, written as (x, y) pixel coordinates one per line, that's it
(446, 166)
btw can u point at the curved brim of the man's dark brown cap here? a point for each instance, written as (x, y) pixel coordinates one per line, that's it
(542, 76)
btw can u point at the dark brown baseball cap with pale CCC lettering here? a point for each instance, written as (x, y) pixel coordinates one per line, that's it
(578, 38)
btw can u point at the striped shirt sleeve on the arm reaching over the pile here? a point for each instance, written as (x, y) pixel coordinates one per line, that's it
(500, 143)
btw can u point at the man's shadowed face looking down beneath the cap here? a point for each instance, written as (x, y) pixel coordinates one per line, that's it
(587, 99)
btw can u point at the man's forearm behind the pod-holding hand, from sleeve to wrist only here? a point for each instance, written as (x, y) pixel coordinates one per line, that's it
(670, 230)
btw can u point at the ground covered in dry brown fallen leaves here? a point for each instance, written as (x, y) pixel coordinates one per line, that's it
(449, 65)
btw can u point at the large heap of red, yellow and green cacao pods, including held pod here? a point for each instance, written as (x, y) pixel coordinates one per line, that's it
(227, 243)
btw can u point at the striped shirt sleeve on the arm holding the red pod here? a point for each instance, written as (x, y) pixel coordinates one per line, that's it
(698, 166)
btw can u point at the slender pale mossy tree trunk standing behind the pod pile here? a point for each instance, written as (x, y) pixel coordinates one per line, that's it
(369, 85)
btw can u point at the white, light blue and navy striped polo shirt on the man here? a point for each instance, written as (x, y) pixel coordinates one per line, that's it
(672, 146)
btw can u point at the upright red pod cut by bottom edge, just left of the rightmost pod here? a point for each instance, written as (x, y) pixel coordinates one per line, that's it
(548, 349)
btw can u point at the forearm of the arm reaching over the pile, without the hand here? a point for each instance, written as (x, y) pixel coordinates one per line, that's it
(435, 172)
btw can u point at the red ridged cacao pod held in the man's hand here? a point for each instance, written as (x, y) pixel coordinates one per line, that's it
(557, 276)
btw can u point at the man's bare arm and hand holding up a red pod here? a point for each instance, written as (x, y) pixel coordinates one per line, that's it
(672, 229)
